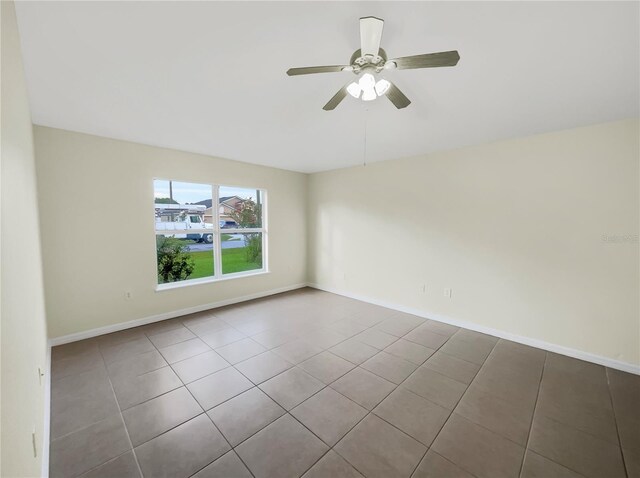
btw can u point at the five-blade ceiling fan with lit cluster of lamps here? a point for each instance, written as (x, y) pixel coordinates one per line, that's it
(369, 61)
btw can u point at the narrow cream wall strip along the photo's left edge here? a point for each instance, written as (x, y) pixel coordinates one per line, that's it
(22, 310)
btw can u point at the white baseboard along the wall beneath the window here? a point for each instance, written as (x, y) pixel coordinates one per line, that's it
(87, 334)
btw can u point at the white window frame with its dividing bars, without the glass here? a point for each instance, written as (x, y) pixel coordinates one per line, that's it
(217, 232)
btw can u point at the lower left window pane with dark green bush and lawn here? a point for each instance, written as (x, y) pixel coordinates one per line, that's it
(180, 258)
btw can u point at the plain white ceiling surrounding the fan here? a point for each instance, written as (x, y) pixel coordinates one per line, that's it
(209, 77)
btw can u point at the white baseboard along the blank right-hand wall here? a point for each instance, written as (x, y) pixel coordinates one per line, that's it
(559, 349)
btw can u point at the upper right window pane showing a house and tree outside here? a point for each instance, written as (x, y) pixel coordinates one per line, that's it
(240, 207)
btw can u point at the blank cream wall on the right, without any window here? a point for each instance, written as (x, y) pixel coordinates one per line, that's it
(514, 228)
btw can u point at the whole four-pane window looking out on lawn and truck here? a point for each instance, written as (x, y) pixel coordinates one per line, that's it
(208, 232)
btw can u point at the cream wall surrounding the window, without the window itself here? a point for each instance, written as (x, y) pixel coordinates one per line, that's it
(96, 201)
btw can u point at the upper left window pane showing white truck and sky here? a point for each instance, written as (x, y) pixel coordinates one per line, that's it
(182, 206)
